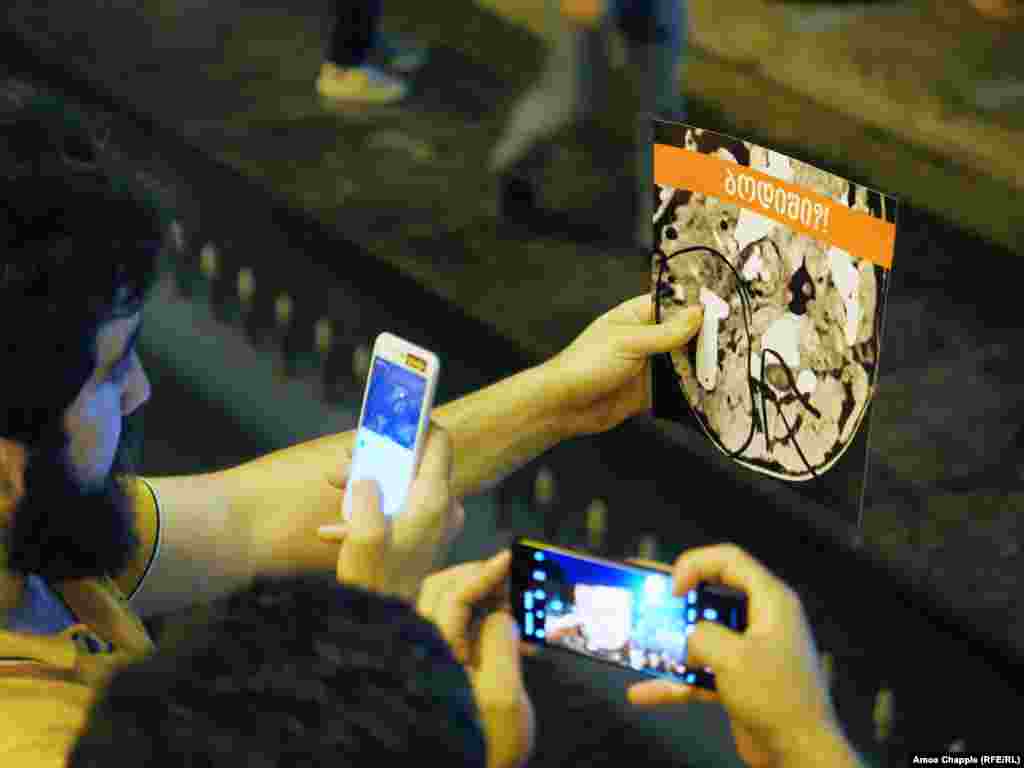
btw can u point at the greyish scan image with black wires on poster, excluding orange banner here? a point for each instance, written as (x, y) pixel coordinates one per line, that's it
(784, 369)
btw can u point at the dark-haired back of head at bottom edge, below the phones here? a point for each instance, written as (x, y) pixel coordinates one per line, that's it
(293, 671)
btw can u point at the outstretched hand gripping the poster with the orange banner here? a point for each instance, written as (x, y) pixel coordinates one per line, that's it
(604, 377)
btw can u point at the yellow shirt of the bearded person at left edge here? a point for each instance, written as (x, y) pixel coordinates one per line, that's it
(48, 682)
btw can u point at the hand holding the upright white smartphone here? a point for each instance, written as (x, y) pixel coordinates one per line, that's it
(395, 557)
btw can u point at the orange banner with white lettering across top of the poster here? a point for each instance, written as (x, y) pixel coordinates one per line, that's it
(805, 211)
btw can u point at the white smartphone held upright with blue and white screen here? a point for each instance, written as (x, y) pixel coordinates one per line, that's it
(394, 420)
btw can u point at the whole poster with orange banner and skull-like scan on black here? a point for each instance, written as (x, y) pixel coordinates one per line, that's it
(792, 266)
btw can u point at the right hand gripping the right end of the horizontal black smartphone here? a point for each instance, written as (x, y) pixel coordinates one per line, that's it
(770, 678)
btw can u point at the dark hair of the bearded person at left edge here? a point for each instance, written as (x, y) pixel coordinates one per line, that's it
(81, 238)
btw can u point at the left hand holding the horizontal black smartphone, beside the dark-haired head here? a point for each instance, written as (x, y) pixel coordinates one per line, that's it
(489, 649)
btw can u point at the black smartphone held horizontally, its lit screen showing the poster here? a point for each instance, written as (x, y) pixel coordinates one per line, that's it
(616, 613)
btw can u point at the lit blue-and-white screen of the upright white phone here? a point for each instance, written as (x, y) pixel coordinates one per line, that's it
(386, 442)
